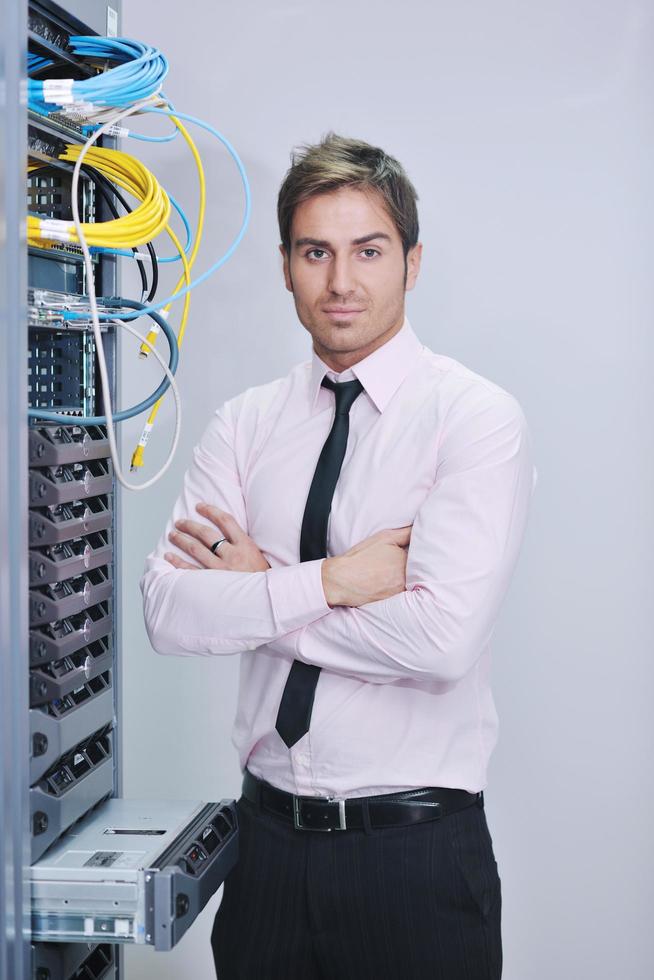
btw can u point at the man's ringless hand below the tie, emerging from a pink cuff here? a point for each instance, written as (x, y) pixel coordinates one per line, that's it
(371, 570)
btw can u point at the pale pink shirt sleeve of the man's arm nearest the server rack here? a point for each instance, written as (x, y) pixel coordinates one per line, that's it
(217, 611)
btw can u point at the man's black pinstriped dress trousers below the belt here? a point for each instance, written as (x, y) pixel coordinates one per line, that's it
(420, 902)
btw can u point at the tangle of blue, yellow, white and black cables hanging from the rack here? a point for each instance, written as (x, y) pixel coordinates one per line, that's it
(101, 105)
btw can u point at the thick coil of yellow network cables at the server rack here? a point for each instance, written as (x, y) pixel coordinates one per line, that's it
(142, 225)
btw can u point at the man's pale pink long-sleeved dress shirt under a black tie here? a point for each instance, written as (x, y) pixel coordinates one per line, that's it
(403, 699)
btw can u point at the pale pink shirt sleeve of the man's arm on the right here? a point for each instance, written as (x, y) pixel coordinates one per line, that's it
(464, 546)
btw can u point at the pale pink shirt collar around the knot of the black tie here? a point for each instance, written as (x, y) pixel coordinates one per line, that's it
(381, 373)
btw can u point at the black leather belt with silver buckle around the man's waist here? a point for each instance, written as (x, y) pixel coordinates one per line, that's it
(331, 813)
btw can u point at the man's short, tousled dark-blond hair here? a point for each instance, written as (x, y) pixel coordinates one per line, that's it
(338, 161)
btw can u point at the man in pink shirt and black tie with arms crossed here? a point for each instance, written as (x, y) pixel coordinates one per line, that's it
(351, 529)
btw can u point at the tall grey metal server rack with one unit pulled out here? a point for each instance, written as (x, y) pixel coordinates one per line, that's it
(146, 869)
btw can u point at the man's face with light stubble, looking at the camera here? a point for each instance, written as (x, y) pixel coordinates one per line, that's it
(347, 274)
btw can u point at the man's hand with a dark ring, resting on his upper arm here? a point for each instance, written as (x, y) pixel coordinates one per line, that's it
(238, 553)
